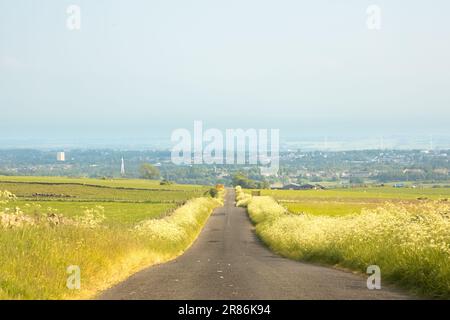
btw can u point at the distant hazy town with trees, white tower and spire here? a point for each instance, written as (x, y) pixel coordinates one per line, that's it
(298, 169)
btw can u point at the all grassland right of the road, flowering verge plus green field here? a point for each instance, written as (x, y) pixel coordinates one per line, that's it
(405, 232)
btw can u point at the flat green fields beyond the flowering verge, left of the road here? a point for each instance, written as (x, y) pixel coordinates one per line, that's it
(124, 201)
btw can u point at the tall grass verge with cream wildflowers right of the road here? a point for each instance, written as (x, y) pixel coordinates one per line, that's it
(409, 242)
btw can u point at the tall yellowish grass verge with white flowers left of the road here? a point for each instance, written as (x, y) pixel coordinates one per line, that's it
(36, 249)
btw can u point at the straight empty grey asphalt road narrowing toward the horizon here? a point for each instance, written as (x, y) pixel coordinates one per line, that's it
(227, 261)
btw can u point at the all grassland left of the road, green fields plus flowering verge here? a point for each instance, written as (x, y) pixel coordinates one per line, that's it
(108, 228)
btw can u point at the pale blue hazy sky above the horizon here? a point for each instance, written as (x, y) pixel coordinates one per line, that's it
(306, 67)
